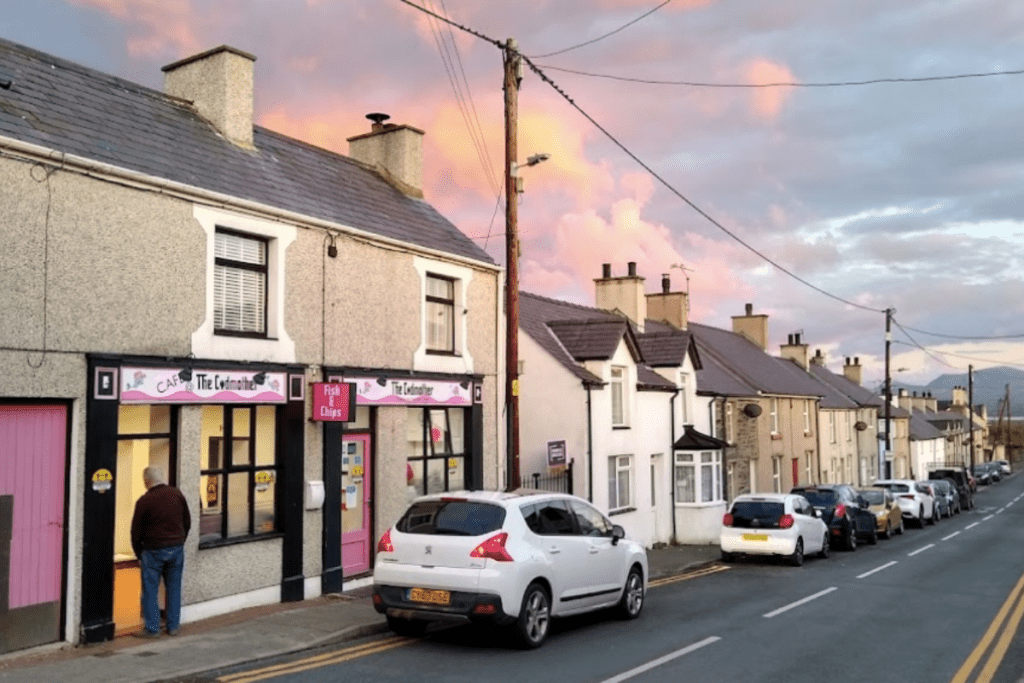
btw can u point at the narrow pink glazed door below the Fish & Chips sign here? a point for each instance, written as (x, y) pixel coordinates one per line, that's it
(356, 489)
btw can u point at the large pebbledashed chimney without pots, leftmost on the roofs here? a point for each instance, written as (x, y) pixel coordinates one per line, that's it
(220, 84)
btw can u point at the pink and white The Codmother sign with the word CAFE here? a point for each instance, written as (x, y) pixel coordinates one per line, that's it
(159, 386)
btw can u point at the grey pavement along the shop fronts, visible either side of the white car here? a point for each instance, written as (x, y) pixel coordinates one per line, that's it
(249, 635)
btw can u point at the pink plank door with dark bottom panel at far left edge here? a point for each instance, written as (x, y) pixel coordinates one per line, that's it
(33, 456)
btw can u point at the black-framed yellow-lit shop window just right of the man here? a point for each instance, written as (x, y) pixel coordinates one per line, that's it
(238, 485)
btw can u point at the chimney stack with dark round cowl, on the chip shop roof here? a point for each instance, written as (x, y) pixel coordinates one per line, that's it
(396, 152)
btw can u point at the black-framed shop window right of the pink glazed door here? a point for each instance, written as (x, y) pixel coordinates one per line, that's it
(439, 447)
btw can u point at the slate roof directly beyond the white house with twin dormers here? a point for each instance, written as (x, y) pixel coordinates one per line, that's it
(749, 363)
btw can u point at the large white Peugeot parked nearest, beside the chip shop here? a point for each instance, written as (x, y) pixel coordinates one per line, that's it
(517, 559)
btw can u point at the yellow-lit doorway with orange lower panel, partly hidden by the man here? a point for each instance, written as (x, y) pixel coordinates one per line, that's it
(145, 439)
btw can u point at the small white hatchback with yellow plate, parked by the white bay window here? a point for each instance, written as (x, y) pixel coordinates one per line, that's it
(784, 525)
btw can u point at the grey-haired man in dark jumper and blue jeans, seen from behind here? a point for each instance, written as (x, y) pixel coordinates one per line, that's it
(159, 529)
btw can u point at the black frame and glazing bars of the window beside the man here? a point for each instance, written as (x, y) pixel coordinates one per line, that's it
(228, 467)
